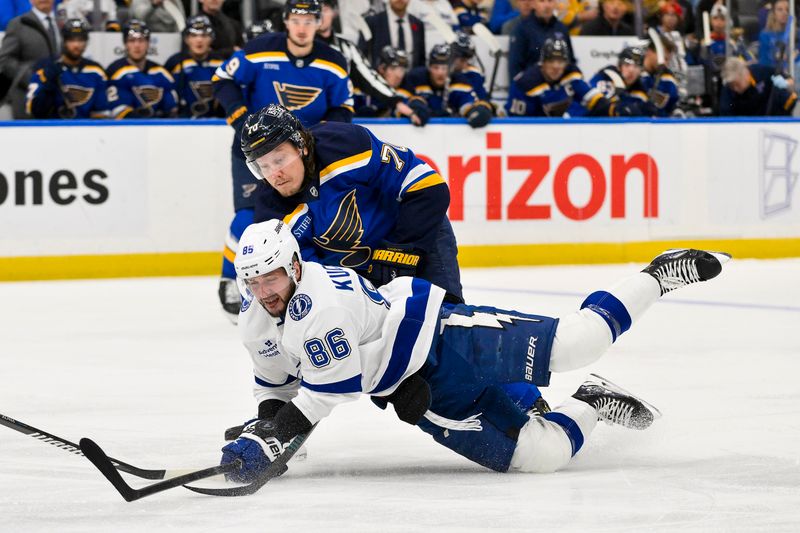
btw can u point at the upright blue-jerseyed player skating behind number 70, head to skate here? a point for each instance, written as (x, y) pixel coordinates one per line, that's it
(291, 69)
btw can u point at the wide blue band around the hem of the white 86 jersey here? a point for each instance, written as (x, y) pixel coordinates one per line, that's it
(406, 338)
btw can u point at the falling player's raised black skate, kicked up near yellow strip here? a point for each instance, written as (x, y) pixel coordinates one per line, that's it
(675, 268)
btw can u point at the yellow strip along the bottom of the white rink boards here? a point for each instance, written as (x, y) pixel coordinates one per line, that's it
(209, 263)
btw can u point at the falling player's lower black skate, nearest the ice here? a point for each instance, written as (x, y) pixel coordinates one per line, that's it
(615, 405)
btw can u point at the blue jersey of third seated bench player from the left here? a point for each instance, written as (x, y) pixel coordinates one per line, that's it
(193, 84)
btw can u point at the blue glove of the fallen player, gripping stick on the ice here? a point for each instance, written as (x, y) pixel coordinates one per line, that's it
(257, 447)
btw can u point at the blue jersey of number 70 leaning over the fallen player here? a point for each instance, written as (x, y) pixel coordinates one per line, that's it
(363, 192)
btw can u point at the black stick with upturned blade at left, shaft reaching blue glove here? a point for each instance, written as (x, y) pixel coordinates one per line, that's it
(99, 459)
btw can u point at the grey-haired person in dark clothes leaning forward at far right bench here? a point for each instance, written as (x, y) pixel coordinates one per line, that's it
(755, 90)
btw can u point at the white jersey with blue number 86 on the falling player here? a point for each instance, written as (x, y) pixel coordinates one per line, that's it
(340, 337)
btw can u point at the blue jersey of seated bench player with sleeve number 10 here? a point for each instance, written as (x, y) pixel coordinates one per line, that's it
(532, 95)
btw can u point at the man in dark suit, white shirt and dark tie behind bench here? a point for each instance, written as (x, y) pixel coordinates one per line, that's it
(395, 27)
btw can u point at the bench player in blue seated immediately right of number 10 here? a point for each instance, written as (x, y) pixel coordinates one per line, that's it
(622, 84)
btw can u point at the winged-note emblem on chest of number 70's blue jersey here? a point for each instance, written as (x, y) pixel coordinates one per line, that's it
(344, 234)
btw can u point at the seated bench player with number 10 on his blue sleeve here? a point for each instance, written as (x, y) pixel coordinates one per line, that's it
(555, 88)
